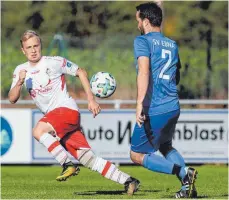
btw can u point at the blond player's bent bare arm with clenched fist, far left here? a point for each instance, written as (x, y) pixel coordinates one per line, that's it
(15, 92)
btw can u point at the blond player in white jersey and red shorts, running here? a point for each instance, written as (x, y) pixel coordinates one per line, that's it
(59, 129)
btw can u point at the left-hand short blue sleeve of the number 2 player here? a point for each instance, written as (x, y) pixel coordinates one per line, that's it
(141, 47)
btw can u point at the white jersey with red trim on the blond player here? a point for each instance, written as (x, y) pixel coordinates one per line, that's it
(46, 84)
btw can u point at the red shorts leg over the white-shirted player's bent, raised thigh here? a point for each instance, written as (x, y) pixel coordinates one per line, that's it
(63, 120)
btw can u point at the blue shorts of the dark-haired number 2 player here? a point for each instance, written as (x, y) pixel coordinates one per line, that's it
(156, 130)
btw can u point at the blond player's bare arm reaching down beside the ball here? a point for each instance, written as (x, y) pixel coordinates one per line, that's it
(93, 106)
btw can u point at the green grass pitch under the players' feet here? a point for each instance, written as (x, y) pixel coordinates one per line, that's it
(38, 182)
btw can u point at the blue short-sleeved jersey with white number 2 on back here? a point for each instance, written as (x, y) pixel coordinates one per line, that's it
(161, 96)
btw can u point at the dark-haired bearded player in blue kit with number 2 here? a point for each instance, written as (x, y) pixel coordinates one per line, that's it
(158, 106)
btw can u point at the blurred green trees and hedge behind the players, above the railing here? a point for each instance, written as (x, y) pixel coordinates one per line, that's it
(99, 37)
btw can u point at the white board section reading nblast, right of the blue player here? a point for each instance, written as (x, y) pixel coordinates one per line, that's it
(202, 136)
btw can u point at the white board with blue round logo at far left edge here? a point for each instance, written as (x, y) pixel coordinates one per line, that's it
(16, 136)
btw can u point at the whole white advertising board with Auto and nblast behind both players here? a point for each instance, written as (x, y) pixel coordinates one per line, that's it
(201, 135)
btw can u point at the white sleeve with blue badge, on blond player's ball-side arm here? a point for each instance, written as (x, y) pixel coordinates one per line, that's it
(65, 66)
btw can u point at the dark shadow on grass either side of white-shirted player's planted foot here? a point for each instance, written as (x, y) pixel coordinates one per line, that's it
(113, 192)
